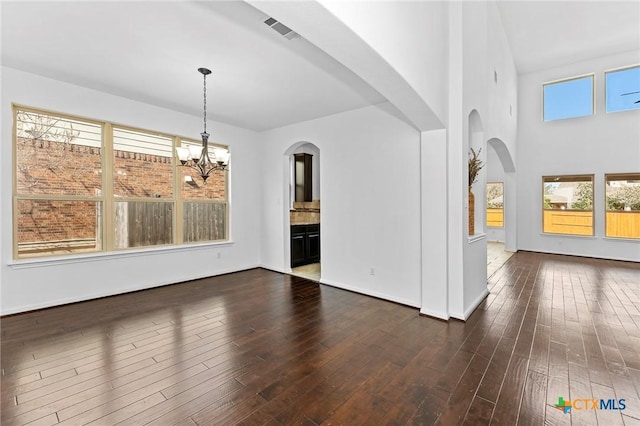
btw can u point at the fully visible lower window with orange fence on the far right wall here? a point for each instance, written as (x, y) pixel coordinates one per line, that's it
(568, 205)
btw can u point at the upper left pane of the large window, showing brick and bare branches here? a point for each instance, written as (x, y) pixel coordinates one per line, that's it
(57, 155)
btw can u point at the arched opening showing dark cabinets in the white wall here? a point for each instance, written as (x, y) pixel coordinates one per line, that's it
(302, 210)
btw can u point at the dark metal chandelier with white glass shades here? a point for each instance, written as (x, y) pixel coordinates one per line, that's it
(200, 158)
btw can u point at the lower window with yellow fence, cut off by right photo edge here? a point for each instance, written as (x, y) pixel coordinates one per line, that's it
(622, 193)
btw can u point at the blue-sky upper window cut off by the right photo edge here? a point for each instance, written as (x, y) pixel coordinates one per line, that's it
(623, 89)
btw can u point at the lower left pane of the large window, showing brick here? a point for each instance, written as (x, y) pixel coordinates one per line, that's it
(58, 227)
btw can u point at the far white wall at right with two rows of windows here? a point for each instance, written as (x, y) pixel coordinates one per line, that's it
(598, 144)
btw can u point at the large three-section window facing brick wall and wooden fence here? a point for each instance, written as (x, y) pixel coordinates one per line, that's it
(82, 185)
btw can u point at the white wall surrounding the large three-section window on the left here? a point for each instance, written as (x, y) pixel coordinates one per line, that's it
(37, 284)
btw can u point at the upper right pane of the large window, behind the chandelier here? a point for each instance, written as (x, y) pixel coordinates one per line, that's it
(193, 187)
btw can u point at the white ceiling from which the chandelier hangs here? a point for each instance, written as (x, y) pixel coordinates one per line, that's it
(150, 52)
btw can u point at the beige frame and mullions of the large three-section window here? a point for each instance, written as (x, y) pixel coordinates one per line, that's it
(105, 239)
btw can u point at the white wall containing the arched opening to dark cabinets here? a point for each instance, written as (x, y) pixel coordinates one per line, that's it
(370, 215)
